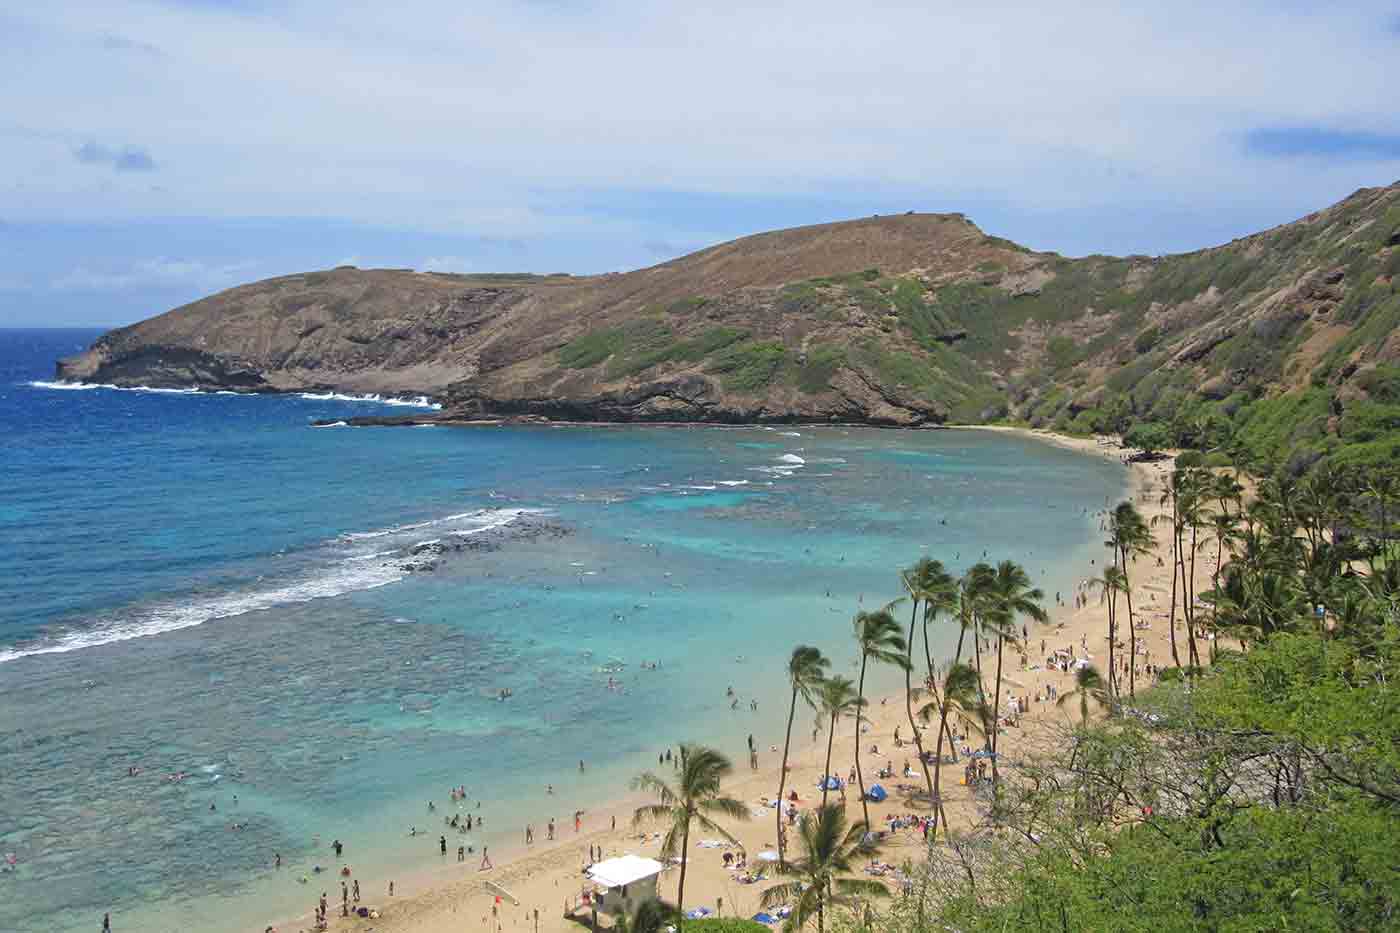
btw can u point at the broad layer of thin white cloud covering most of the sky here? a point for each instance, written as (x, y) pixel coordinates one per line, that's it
(437, 116)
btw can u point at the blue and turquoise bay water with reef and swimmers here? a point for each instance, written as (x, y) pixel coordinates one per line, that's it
(208, 585)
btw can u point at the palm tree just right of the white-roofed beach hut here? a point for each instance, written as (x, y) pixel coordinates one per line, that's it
(695, 799)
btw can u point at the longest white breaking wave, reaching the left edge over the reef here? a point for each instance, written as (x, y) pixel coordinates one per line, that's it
(345, 574)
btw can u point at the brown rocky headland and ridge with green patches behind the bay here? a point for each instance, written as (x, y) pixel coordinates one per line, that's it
(904, 320)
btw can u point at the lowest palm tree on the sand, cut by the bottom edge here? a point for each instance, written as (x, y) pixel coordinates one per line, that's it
(829, 848)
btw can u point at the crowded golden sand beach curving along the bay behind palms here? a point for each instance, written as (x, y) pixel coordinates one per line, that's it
(549, 876)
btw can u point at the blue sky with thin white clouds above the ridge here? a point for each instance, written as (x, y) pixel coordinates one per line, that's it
(156, 152)
